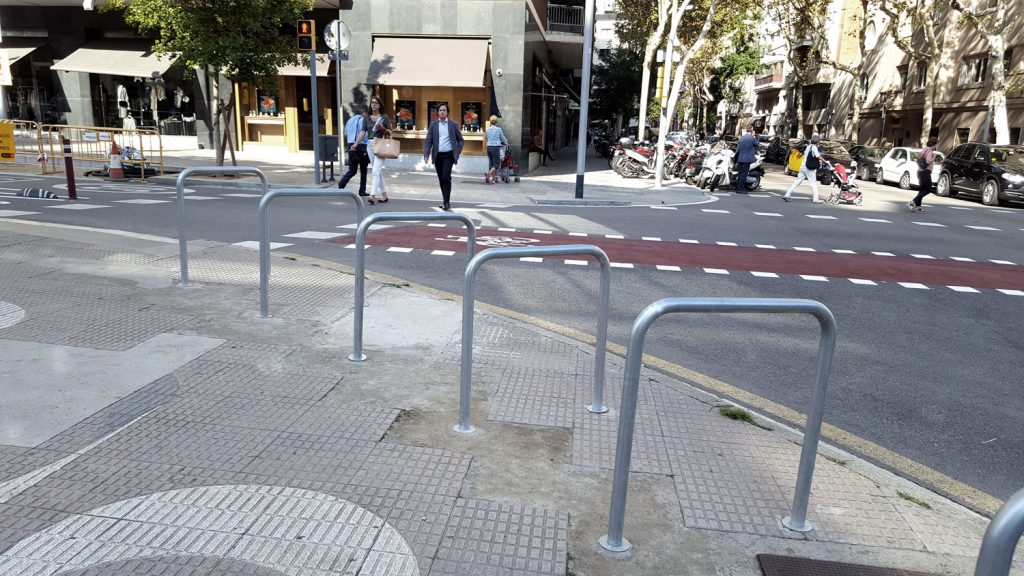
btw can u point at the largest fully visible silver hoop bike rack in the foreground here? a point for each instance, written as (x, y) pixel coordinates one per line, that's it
(614, 541)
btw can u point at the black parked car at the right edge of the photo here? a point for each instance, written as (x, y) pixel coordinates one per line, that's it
(995, 173)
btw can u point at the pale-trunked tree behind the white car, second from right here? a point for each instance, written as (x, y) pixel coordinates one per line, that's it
(925, 17)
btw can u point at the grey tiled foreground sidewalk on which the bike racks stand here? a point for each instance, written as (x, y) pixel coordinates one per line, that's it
(151, 429)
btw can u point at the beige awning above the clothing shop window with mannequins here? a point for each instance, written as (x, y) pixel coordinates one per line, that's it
(117, 59)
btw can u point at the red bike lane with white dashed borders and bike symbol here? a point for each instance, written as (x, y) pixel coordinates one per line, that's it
(800, 262)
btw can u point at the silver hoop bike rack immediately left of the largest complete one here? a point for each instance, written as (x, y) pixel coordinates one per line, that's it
(467, 319)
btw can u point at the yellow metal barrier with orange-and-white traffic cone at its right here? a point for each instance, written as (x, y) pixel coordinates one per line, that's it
(92, 144)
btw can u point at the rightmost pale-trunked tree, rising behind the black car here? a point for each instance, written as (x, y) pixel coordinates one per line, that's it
(991, 20)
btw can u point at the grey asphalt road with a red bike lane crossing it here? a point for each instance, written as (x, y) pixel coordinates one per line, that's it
(929, 350)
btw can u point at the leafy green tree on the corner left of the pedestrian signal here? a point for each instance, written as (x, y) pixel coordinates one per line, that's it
(245, 40)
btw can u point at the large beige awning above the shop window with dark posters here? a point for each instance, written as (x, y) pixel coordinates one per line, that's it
(429, 62)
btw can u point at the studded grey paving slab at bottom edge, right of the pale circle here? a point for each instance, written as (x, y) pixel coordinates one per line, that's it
(485, 538)
